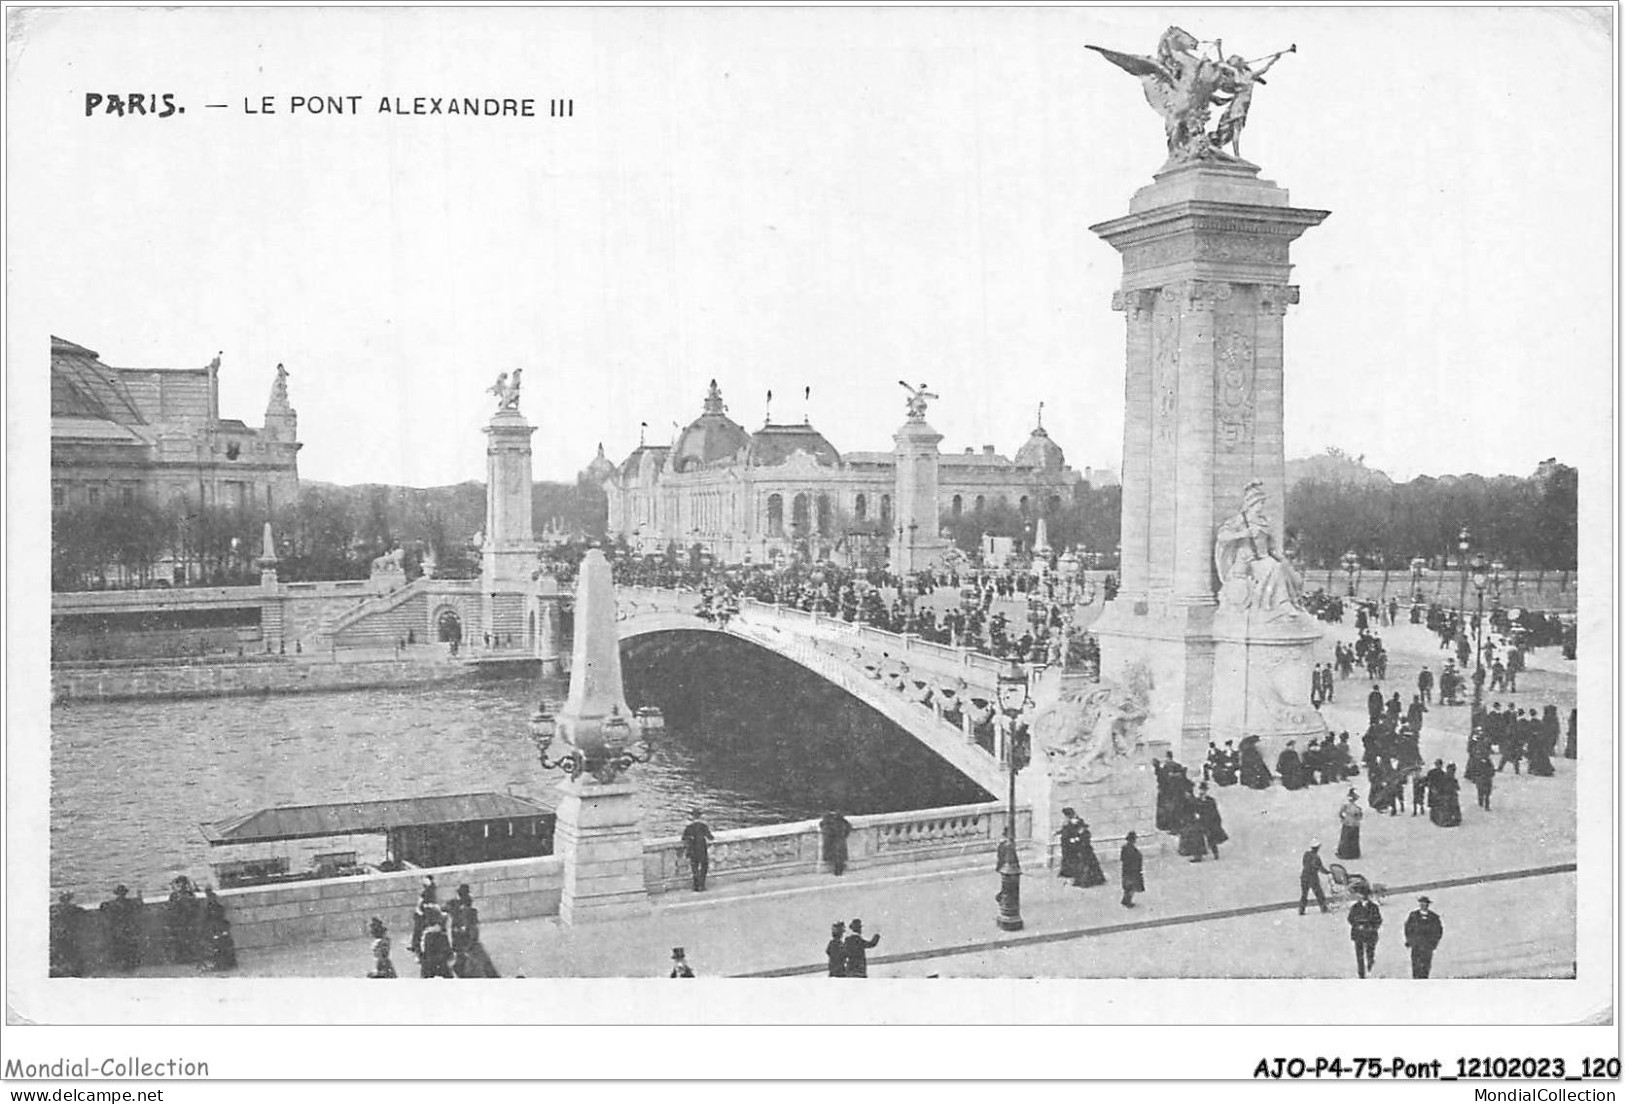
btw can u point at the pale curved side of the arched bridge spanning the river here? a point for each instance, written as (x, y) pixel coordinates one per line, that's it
(943, 697)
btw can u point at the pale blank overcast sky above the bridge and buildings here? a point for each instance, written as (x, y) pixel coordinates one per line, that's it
(787, 199)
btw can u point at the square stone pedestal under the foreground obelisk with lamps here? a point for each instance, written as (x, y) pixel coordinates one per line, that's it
(597, 837)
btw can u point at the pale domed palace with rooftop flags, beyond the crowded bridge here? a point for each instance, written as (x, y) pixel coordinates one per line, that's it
(787, 490)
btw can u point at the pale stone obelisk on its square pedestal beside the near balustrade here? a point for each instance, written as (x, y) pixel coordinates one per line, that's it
(597, 832)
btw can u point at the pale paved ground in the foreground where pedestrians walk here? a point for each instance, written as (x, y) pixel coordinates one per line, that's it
(1502, 882)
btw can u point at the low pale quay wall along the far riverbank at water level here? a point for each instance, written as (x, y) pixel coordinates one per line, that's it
(119, 682)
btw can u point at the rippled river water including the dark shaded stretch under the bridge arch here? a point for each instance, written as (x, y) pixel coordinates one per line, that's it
(752, 739)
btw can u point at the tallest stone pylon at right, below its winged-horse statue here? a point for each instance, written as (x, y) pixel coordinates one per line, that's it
(1205, 295)
